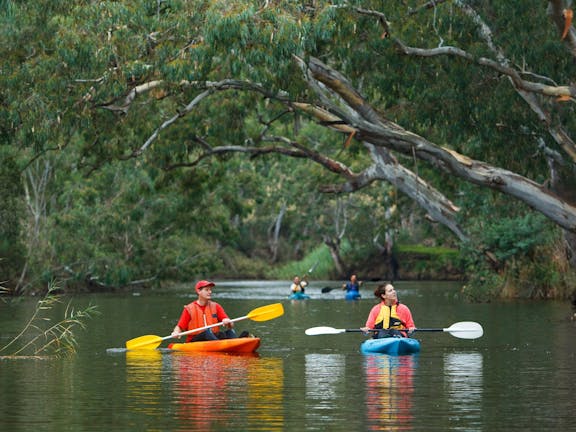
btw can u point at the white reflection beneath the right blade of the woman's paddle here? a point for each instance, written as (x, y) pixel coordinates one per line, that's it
(463, 373)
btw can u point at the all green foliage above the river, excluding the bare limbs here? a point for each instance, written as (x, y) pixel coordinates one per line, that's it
(68, 68)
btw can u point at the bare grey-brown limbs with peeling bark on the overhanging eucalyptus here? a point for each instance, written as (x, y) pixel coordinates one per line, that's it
(344, 109)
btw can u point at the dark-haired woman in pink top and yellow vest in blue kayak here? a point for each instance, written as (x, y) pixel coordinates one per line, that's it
(389, 316)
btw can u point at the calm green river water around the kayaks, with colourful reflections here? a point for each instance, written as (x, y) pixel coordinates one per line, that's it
(521, 375)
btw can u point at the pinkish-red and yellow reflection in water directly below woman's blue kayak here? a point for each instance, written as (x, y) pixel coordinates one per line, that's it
(389, 389)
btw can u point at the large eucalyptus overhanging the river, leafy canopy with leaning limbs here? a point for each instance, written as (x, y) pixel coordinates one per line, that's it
(429, 97)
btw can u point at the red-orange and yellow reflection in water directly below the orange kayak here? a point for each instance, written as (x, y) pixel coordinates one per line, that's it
(207, 385)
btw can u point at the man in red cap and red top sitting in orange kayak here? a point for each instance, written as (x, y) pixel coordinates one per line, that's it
(204, 312)
